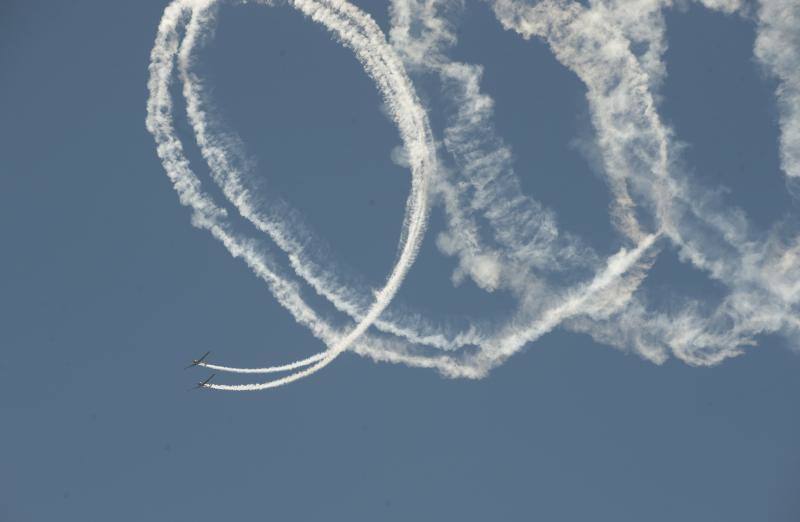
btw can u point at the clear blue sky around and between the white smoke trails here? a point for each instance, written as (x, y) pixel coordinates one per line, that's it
(107, 291)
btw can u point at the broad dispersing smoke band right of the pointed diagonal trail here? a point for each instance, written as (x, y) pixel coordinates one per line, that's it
(713, 238)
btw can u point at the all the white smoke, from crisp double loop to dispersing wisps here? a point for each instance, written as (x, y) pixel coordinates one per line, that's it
(503, 239)
